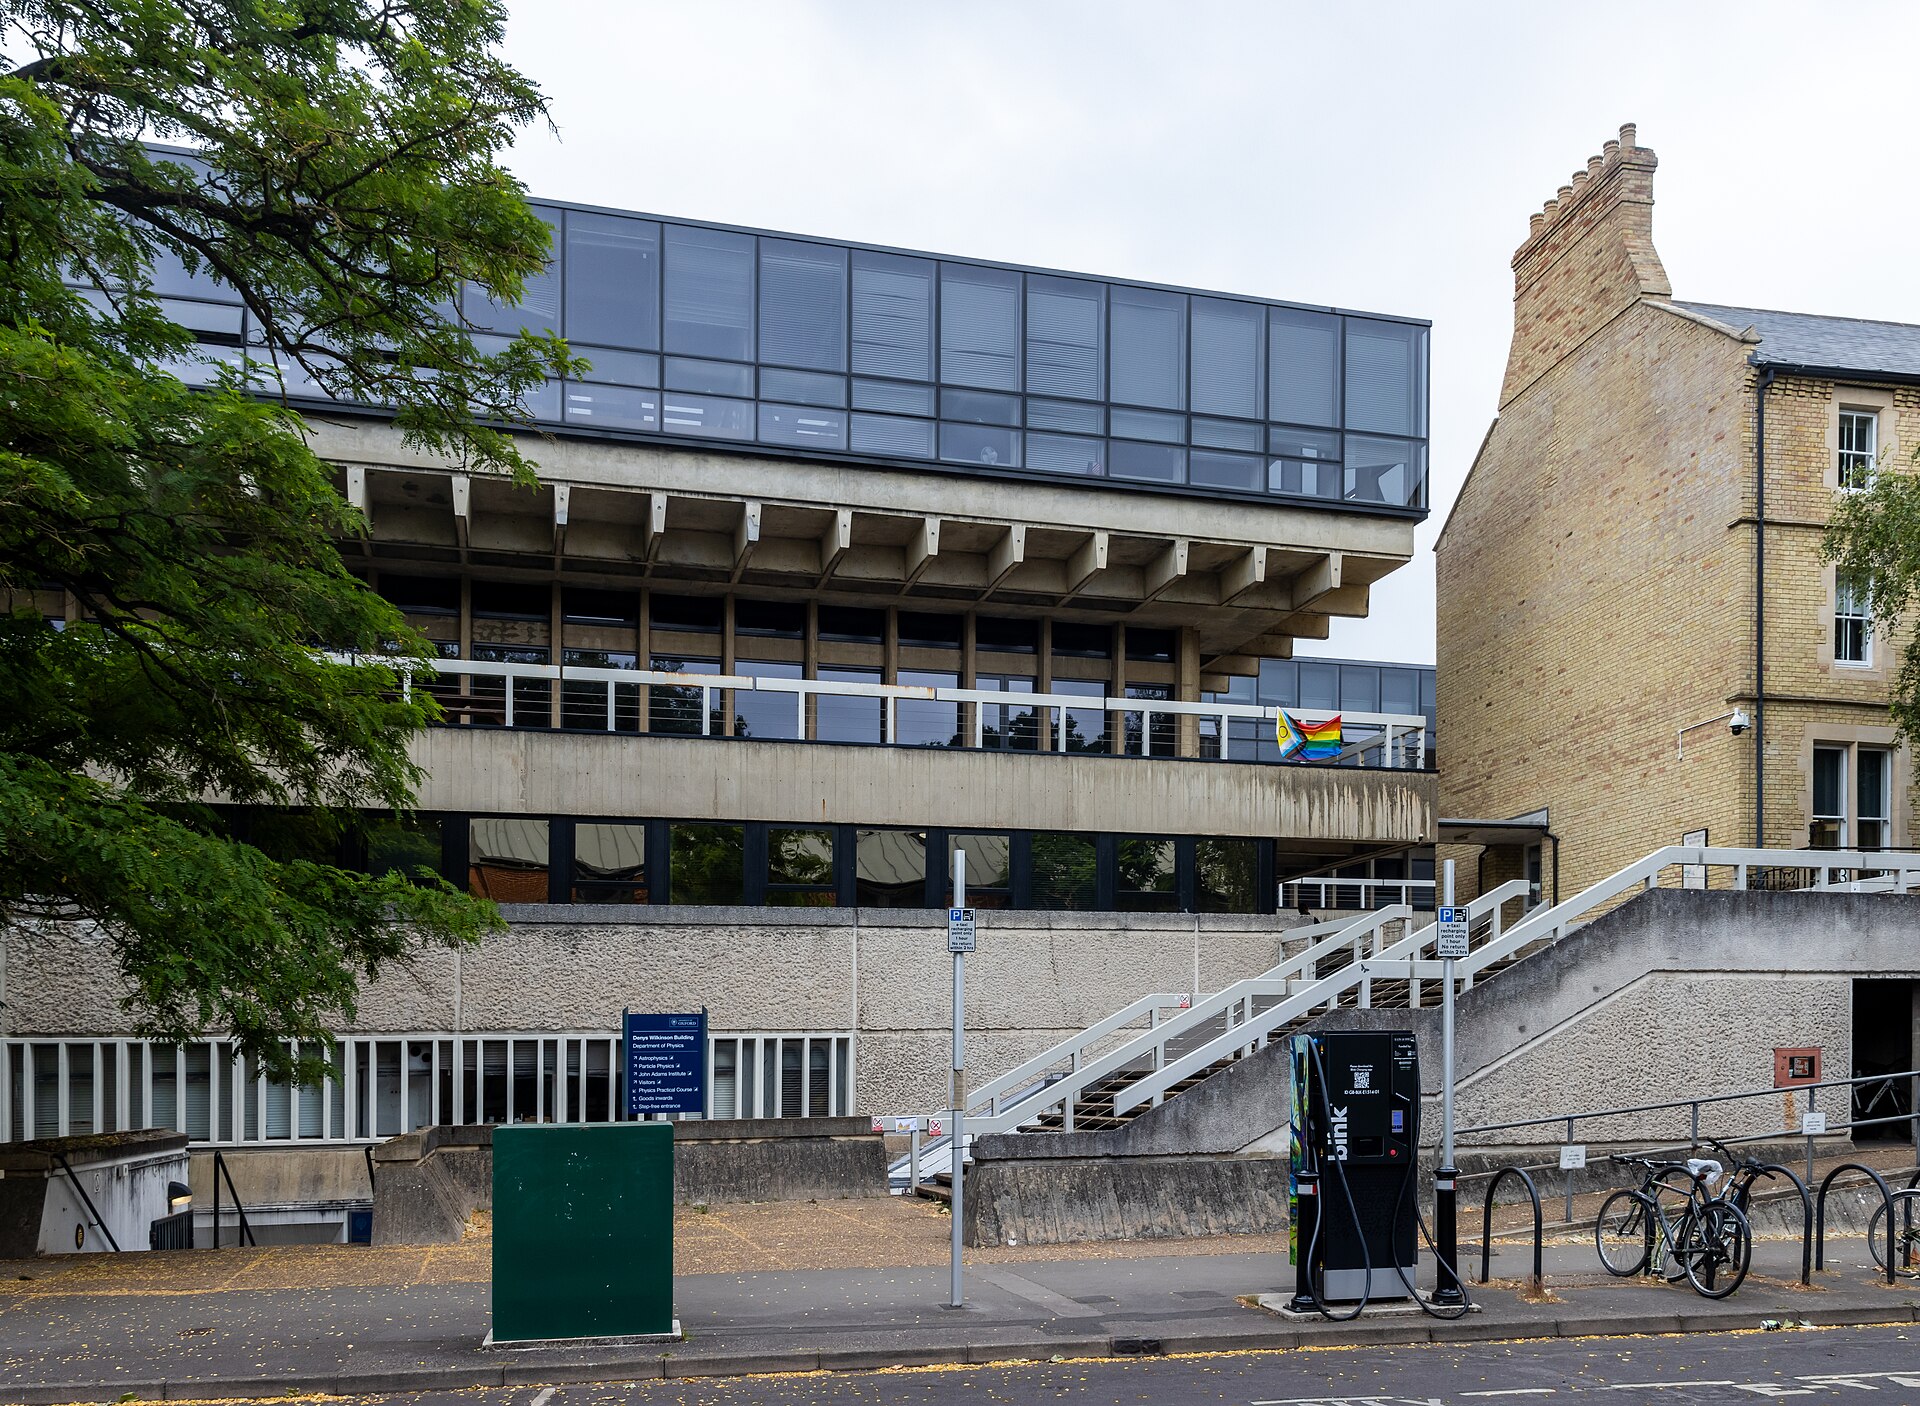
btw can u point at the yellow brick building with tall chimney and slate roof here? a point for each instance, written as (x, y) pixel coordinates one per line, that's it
(1635, 558)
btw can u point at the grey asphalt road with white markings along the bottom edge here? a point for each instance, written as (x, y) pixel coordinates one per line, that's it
(1806, 1365)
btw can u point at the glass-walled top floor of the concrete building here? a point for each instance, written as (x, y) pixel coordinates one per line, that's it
(734, 337)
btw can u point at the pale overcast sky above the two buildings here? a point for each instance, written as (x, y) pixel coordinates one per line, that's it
(1378, 157)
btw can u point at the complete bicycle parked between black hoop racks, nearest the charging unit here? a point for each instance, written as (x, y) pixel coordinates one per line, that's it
(1710, 1240)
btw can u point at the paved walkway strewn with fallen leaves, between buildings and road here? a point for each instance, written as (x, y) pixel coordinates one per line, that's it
(358, 1321)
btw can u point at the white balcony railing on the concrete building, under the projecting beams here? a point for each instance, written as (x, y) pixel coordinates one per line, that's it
(1397, 740)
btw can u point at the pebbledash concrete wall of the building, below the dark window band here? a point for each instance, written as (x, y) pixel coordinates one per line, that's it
(878, 973)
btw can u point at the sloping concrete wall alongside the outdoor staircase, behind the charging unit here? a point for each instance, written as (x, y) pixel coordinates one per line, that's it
(1673, 996)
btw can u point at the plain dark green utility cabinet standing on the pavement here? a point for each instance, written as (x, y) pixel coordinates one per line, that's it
(583, 1232)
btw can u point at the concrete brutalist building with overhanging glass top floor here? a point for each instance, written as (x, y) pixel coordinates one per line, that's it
(842, 560)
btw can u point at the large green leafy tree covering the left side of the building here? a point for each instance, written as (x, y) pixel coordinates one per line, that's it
(345, 182)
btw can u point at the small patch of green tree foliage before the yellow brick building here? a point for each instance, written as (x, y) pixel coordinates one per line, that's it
(1873, 537)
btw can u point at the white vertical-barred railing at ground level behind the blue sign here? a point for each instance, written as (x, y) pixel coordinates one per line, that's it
(383, 1086)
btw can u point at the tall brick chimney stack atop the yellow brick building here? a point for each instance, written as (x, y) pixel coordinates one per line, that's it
(1589, 255)
